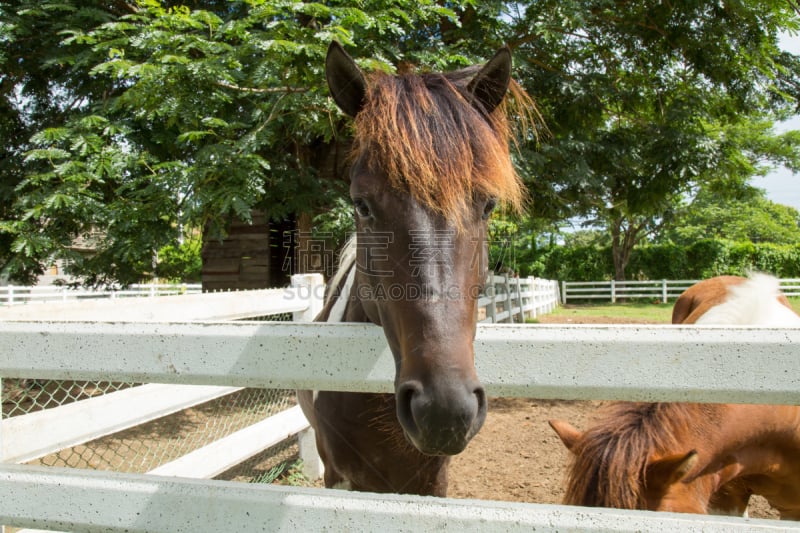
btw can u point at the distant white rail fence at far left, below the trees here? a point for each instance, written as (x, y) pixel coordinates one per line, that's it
(20, 294)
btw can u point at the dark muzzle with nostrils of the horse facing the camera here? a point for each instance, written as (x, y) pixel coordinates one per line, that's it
(440, 420)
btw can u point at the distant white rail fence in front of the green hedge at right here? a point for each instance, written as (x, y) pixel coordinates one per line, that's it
(661, 289)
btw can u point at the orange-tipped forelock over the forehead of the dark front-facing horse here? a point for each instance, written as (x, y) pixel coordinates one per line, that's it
(432, 140)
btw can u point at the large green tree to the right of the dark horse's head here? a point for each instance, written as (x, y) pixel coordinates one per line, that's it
(646, 102)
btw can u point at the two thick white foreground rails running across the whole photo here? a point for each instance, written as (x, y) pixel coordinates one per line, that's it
(715, 364)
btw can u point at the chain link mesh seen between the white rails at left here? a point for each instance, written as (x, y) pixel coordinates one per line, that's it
(147, 446)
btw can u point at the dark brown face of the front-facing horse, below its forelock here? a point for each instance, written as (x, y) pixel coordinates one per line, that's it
(419, 278)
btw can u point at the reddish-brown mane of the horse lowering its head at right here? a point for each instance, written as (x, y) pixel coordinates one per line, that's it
(609, 460)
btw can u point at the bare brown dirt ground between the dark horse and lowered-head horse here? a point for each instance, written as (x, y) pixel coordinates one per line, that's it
(518, 457)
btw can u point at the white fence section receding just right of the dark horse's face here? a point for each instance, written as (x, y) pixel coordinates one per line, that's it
(514, 300)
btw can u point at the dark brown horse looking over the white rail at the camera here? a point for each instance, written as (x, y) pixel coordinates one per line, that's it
(431, 161)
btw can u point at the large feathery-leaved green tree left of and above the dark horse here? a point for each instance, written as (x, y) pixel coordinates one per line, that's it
(150, 116)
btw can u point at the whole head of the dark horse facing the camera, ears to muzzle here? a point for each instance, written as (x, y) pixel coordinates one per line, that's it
(430, 163)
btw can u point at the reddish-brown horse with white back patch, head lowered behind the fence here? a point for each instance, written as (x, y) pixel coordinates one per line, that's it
(690, 457)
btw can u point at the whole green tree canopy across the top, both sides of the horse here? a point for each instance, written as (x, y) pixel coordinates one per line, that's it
(126, 121)
